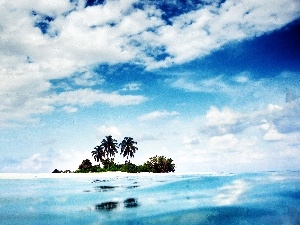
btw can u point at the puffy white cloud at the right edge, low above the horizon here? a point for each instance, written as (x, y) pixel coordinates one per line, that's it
(273, 123)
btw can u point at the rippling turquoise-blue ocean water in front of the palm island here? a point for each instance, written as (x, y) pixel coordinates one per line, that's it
(118, 198)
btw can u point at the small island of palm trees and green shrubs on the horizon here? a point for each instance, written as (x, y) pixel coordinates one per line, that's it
(104, 155)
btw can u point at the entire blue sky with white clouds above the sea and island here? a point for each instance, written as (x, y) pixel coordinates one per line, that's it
(214, 85)
